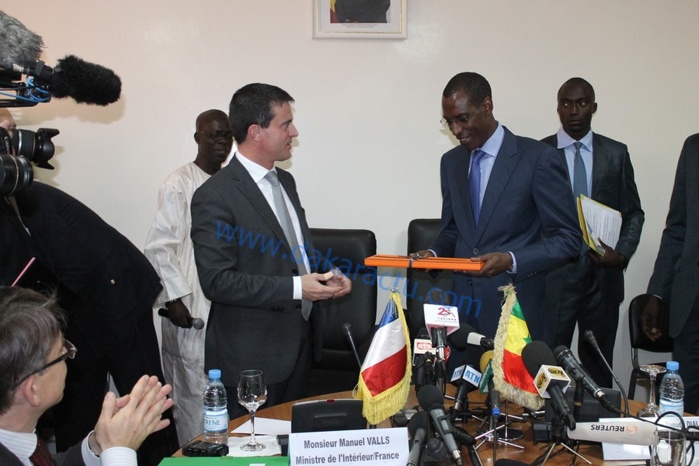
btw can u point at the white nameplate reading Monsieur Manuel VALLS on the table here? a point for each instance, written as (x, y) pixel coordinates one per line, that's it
(350, 447)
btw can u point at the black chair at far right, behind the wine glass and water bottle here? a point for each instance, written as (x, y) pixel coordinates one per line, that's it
(639, 341)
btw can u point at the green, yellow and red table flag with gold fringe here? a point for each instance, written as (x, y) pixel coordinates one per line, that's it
(510, 376)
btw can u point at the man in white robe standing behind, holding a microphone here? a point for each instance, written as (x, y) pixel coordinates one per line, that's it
(169, 249)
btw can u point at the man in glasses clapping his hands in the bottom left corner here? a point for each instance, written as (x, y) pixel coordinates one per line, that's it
(33, 353)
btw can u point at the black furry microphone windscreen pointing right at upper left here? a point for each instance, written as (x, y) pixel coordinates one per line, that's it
(85, 82)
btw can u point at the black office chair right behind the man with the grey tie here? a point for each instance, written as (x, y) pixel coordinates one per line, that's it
(338, 369)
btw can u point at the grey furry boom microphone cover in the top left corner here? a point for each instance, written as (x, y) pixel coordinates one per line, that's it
(18, 45)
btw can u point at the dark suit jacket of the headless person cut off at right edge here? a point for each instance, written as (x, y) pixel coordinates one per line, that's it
(676, 272)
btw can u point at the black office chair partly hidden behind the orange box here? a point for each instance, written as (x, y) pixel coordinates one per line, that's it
(423, 286)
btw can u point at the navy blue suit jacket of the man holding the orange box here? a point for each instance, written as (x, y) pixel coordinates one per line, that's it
(527, 209)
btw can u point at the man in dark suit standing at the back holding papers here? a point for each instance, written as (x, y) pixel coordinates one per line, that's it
(589, 290)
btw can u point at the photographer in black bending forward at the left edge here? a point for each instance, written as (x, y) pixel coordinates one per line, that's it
(107, 287)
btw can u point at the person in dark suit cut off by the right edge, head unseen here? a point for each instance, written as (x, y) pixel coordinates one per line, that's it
(676, 273)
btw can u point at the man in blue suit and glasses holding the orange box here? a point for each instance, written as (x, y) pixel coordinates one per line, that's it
(506, 202)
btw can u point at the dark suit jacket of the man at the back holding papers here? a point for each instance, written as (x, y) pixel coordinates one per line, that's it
(613, 185)
